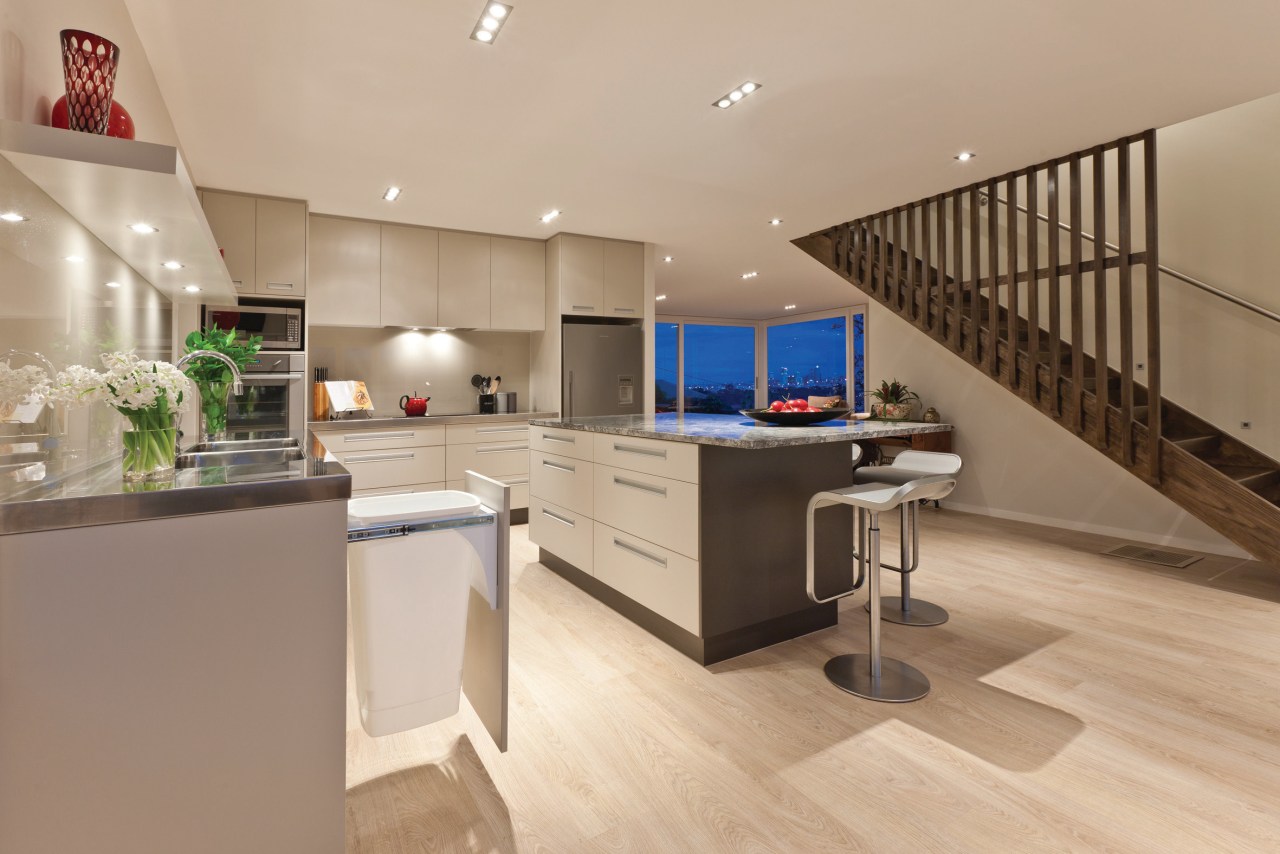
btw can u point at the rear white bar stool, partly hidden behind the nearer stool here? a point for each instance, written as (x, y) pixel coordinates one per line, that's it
(907, 467)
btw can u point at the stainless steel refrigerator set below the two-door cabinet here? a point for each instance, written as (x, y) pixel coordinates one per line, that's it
(604, 371)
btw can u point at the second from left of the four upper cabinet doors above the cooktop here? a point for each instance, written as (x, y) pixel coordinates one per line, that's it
(410, 276)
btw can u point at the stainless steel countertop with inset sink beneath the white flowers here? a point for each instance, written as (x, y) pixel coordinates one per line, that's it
(99, 496)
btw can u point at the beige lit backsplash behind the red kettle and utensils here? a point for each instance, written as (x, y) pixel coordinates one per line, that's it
(397, 362)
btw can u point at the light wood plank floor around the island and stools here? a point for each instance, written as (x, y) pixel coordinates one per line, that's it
(1081, 704)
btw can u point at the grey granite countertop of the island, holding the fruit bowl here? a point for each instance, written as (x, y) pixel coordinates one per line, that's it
(739, 431)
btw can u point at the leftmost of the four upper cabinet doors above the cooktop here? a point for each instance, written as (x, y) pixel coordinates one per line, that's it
(345, 273)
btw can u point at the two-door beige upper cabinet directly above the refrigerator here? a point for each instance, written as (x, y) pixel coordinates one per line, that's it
(600, 277)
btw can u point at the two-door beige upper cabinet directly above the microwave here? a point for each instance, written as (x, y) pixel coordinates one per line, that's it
(264, 241)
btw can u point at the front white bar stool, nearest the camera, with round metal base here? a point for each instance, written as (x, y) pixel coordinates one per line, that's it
(872, 677)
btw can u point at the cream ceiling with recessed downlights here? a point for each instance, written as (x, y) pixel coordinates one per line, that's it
(605, 111)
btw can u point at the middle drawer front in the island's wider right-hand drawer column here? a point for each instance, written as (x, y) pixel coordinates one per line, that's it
(660, 510)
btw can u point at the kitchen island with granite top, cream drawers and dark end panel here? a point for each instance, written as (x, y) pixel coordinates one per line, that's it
(694, 527)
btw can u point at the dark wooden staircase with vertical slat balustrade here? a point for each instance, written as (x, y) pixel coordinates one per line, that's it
(967, 270)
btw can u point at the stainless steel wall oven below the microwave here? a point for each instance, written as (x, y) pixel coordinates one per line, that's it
(275, 401)
